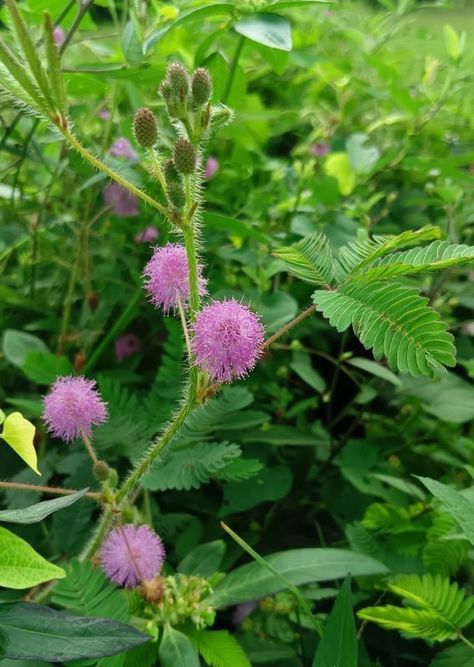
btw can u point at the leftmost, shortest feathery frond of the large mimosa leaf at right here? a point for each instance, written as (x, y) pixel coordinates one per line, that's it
(310, 259)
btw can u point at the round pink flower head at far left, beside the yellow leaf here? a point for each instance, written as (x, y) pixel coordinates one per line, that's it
(72, 407)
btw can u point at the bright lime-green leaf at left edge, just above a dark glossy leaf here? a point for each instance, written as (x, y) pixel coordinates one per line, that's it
(20, 565)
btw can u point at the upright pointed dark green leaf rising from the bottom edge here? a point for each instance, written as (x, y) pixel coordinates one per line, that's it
(338, 647)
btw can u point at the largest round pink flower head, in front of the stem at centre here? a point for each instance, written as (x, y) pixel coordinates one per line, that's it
(228, 339)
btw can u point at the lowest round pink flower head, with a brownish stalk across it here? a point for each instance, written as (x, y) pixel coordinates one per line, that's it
(132, 554)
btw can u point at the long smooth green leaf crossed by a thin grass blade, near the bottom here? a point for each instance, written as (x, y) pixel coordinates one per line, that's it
(299, 566)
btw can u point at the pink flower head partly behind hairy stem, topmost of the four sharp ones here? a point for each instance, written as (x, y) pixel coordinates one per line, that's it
(167, 277)
